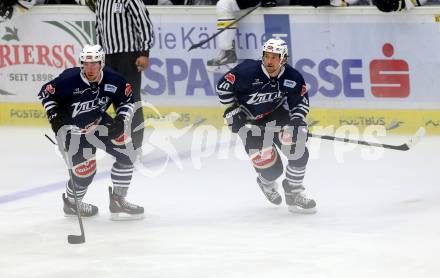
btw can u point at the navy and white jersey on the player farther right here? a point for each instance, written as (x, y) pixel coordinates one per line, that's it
(250, 86)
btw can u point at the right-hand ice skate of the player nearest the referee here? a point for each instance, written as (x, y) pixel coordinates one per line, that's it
(122, 210)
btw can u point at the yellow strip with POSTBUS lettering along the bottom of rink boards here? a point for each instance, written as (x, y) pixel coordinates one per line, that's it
(393, 121)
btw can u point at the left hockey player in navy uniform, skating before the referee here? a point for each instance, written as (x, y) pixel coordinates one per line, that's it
(76, 102)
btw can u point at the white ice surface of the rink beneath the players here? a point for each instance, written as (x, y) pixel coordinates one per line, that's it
(376, 218)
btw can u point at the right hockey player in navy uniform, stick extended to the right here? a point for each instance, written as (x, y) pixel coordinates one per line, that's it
(267, 104)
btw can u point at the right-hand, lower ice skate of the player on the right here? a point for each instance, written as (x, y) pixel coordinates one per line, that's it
(296, 201)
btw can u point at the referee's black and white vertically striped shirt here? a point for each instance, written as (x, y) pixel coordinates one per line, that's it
(123, 26)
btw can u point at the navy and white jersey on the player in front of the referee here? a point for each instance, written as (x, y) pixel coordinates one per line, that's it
(83, 103)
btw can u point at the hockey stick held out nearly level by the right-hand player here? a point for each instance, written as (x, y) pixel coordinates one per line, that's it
(402, 147)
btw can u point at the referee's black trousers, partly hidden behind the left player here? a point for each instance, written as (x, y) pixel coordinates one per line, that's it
(125, 64)
